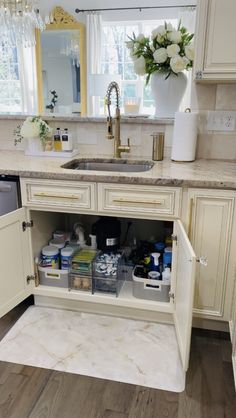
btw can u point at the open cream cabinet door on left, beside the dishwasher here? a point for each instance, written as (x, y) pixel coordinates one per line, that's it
(15, 260)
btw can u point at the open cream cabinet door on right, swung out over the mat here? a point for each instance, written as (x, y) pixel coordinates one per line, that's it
(184, 263)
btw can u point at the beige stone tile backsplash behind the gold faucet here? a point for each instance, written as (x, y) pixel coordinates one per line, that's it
(89, 135)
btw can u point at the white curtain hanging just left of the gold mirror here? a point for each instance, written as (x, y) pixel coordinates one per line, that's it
(28, 79)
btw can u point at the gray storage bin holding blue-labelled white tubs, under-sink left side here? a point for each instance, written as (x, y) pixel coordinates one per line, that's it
(53, 277)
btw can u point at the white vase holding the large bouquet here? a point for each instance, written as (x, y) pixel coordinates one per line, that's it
(167, 93)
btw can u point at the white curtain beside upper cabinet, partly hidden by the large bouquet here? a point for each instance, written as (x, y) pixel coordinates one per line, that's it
(187, 16)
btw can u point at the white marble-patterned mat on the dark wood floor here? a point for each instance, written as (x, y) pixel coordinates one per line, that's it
(124, 350)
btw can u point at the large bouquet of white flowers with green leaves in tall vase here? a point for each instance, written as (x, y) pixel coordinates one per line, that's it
(167, 51)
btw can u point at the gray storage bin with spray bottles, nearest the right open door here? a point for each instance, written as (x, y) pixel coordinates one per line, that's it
(148, 289)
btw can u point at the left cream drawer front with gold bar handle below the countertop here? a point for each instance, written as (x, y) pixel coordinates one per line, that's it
(58, 194)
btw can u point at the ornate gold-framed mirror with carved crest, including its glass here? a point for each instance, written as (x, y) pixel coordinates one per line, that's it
(61, 65)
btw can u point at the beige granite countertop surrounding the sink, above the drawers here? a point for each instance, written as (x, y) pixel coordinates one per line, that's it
(200, 173)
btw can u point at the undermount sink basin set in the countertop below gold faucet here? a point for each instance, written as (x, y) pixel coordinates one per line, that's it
(97, 164)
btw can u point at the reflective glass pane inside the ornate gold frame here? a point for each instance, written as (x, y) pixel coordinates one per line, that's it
(61, 70)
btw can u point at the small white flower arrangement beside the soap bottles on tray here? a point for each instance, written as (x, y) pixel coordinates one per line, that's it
(33, 127)
